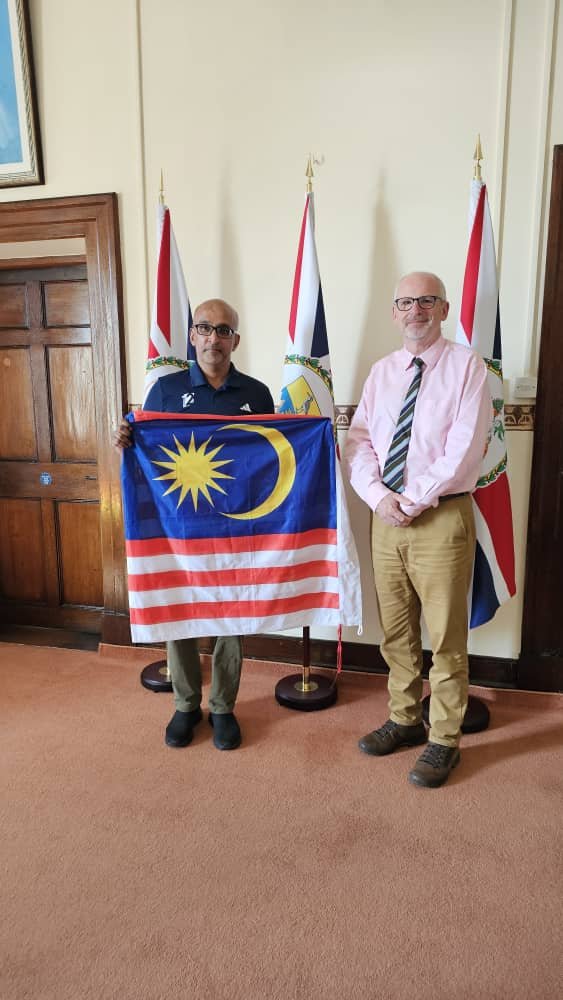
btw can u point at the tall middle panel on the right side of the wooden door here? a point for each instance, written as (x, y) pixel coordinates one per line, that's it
(72, 403)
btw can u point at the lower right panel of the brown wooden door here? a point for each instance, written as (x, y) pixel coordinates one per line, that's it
(80, 553)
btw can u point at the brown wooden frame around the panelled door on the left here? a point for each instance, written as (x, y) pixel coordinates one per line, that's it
(95, 219)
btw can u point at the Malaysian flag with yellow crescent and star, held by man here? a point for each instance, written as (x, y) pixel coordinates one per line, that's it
(233, 526)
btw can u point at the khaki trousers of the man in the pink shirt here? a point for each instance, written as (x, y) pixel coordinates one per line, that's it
(426, 568)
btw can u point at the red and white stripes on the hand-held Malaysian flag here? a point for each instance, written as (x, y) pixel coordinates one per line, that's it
(291, 580)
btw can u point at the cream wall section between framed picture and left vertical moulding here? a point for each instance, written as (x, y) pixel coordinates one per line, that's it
(87, 74)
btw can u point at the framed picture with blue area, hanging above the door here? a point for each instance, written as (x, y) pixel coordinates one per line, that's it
(20, 151)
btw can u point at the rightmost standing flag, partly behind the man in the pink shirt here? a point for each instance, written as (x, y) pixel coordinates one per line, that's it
(479, 328)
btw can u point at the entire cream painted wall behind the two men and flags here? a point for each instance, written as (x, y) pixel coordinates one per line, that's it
(229, 98)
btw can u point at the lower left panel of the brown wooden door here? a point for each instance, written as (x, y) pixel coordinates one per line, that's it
(22, 567)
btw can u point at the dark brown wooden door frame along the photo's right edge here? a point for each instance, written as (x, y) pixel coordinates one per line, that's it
(541, 661)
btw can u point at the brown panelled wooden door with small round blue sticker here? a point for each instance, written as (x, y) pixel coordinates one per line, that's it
(50, 552)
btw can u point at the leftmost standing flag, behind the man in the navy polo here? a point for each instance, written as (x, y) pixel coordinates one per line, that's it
(169, 346)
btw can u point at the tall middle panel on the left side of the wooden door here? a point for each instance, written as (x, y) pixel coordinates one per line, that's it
(17, 426)
